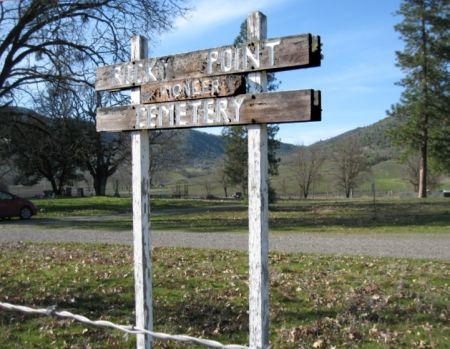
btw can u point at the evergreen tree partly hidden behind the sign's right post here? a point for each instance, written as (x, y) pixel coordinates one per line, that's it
(236, 150)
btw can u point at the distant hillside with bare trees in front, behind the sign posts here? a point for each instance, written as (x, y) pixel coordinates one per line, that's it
(202, 158)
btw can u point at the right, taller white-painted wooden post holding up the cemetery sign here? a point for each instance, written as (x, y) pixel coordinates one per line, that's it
(258, 205)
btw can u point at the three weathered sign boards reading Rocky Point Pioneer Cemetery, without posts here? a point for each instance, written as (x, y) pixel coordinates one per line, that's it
(207, 88)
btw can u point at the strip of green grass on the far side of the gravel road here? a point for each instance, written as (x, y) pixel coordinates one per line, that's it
(356, 215)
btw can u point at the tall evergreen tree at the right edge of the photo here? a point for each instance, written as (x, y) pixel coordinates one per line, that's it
(423, 109)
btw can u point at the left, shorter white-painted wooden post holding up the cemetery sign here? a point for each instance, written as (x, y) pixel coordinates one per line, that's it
(141, 210)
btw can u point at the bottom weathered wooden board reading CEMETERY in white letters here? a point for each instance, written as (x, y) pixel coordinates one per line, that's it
(261, 108)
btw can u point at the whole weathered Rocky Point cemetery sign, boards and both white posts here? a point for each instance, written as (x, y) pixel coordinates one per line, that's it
(203, 89)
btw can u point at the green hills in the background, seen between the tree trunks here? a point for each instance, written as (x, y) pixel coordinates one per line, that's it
(197, 164)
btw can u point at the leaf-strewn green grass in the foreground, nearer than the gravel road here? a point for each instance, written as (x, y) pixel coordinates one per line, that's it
(316, 301)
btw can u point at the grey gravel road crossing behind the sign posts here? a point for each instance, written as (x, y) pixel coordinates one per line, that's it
(432, 246)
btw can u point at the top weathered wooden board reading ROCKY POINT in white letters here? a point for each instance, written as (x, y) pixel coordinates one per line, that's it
(290, 52)
